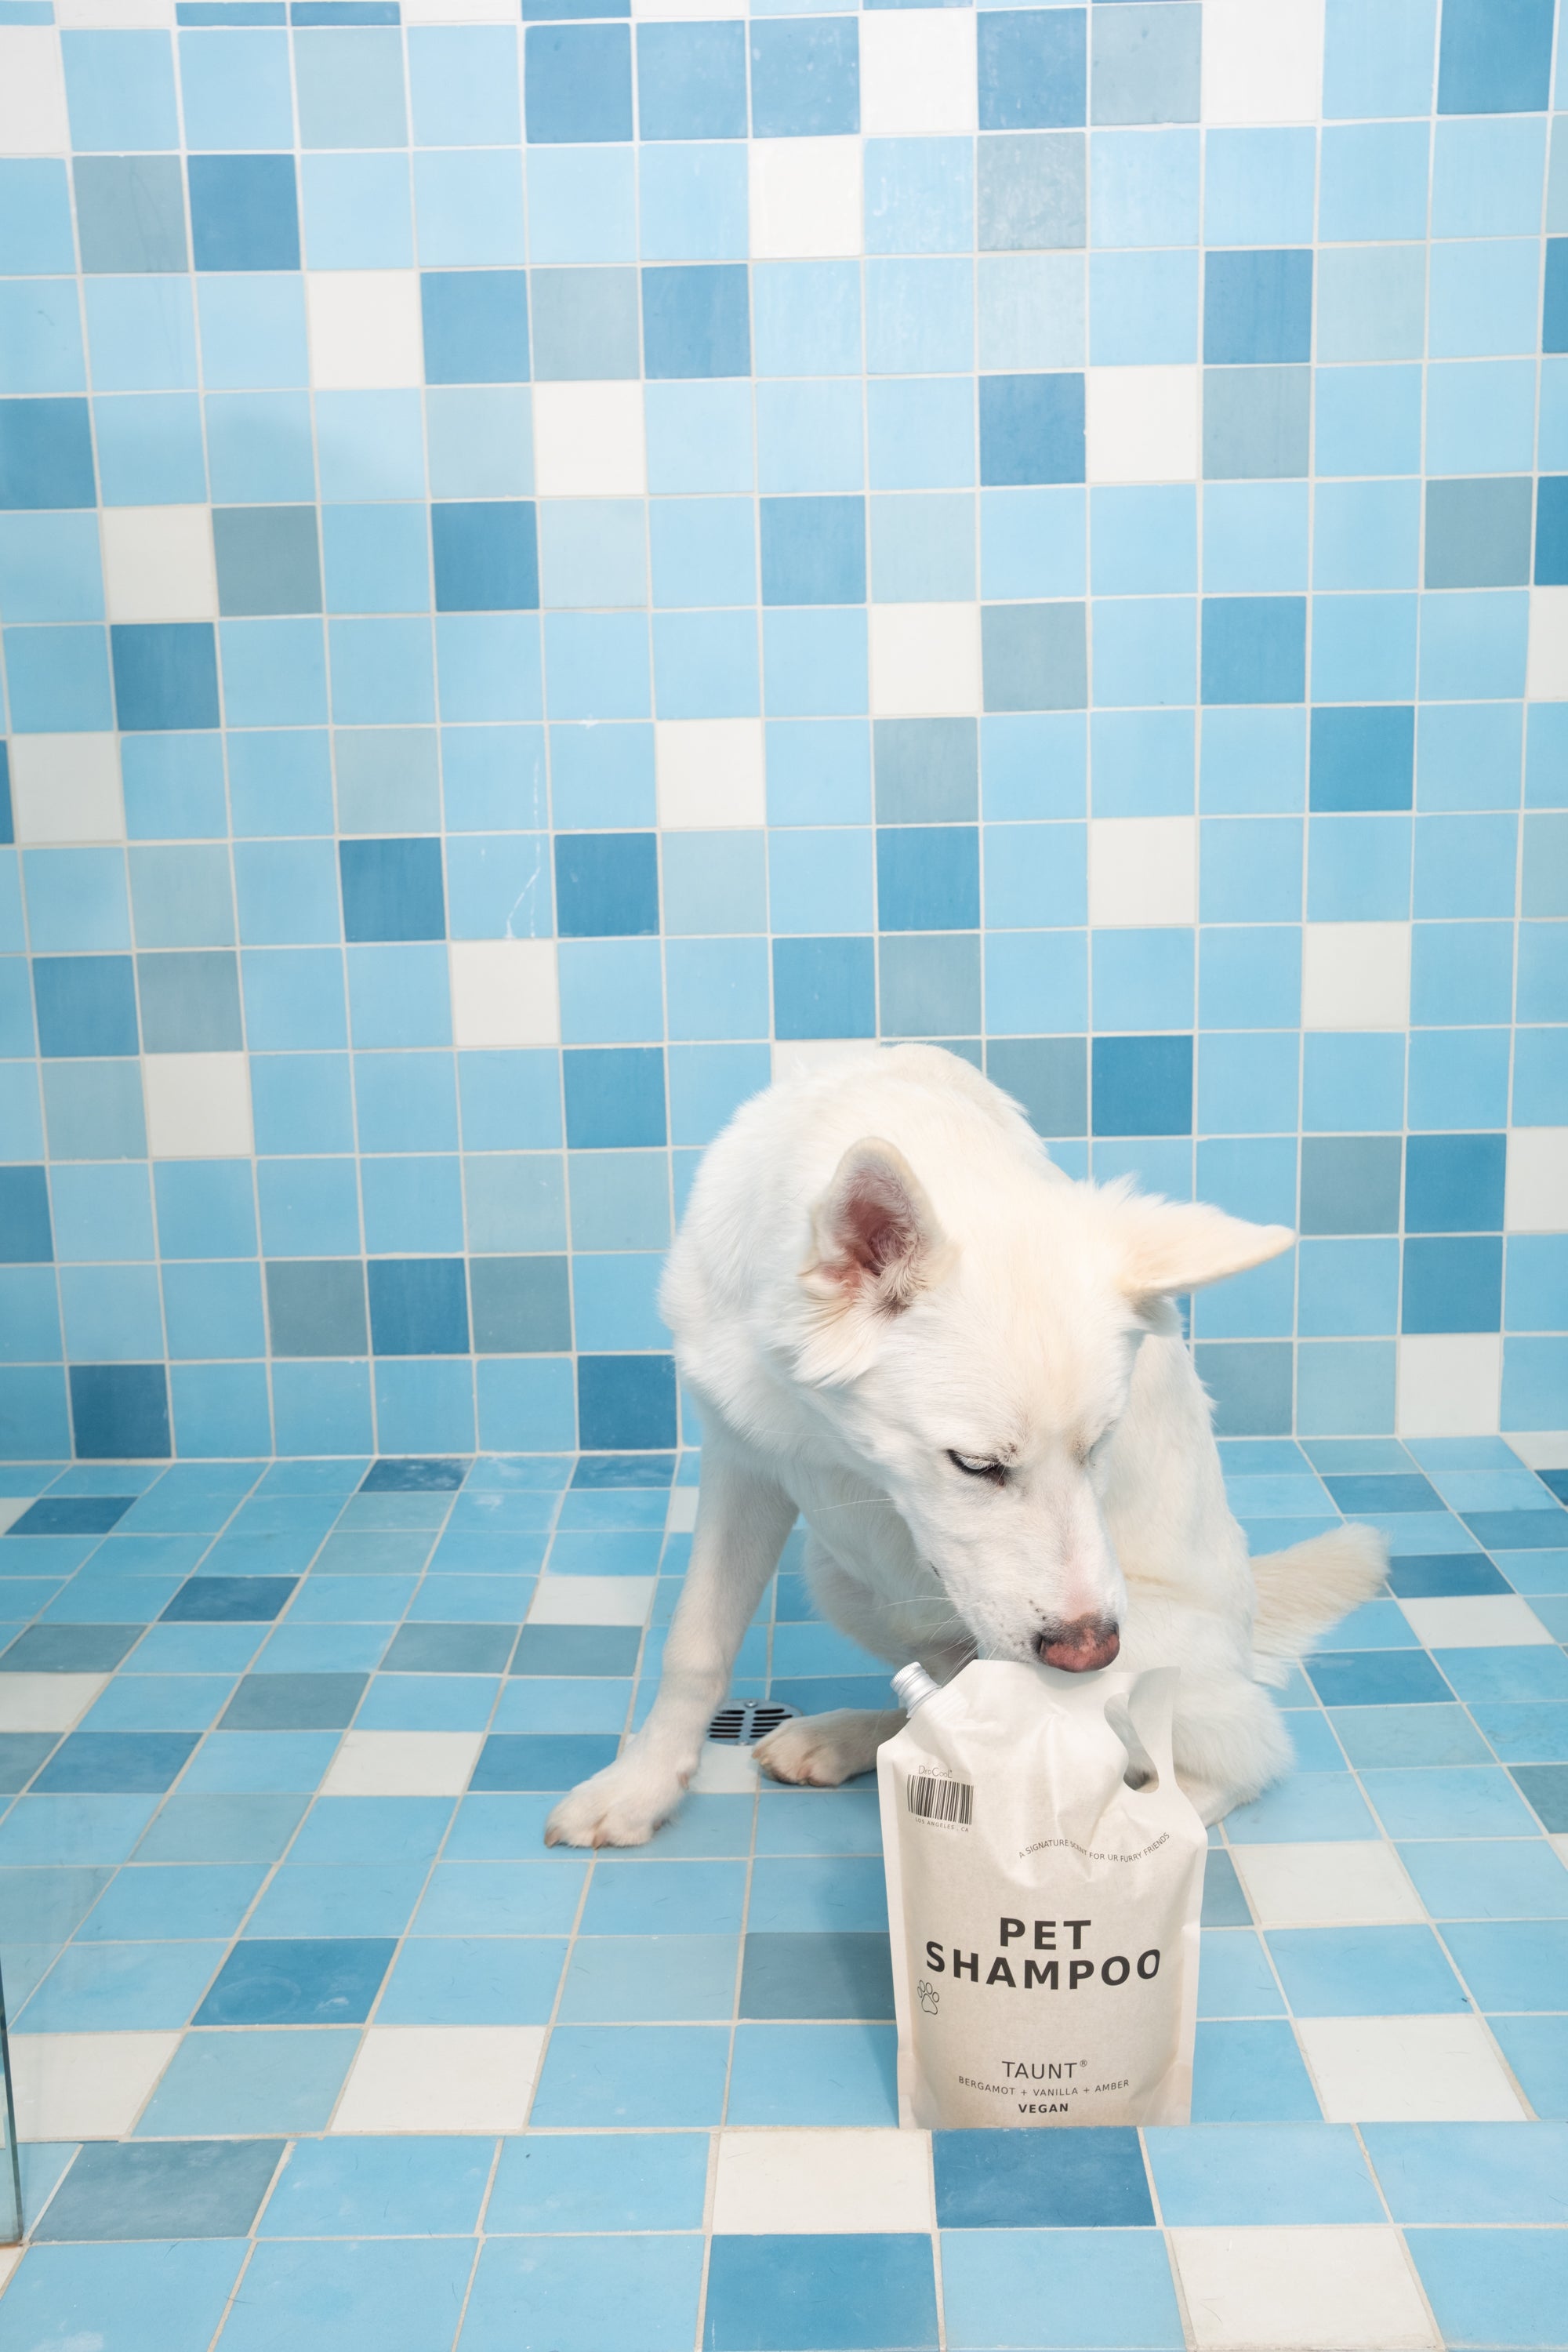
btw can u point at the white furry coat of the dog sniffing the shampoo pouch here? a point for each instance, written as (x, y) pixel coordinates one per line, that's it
(883, 1269)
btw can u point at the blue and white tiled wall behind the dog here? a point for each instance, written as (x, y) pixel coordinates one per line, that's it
(556, 568)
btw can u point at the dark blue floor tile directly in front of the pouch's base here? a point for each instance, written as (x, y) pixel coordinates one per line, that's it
(1040, 2179)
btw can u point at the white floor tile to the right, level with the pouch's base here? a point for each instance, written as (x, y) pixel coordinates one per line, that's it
(1407, 2071)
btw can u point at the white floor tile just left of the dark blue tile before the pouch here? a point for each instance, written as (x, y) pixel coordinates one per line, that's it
(824, 2181)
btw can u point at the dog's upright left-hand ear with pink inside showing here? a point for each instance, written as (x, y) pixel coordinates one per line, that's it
(876, 1248)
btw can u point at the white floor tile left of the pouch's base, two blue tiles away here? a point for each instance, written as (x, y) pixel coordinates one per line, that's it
(441, 2078)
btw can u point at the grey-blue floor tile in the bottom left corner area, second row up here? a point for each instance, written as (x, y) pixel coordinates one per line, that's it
(161, 2189)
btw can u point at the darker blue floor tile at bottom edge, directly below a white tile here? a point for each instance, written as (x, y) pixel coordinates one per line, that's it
(808, 2294)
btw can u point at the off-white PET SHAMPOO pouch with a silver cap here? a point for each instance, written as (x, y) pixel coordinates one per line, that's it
(1045, 1890)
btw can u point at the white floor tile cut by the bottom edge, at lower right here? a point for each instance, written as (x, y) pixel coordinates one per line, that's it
(1339, 2290)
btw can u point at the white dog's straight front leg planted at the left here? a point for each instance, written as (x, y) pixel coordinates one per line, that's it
(742, 1525)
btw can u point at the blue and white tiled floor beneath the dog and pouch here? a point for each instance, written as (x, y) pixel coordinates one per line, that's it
(316, 2045)
